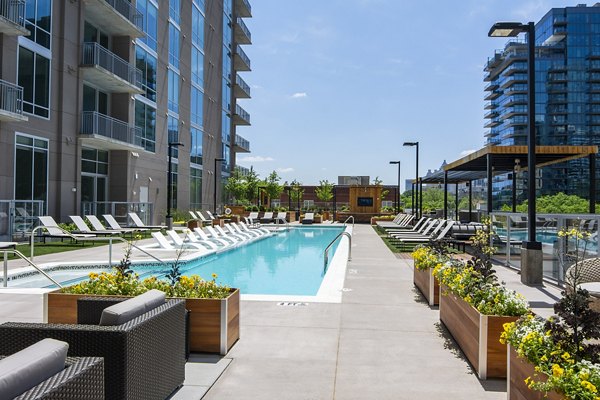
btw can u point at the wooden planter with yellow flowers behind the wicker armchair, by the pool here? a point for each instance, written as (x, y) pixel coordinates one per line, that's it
(214, 309)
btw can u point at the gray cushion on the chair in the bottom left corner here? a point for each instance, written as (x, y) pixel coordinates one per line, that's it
(31, 366)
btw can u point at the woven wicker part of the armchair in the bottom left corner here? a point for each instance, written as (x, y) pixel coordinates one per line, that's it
(82, 378)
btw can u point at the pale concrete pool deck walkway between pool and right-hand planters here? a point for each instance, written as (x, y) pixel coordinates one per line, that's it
(381, 342)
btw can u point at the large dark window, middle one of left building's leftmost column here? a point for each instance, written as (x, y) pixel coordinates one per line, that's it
(34, 77)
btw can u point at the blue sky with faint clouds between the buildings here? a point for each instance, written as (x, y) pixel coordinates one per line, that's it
(339, 85)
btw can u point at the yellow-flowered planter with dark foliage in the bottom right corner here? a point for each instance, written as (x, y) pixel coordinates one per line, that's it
(558, 358)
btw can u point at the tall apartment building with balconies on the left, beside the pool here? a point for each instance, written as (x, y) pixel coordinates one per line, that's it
(94, 94)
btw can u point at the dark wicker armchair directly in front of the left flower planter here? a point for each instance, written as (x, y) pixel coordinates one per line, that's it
(144, 358)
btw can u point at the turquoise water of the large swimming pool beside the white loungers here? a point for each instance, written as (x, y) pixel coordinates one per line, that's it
(288, 263)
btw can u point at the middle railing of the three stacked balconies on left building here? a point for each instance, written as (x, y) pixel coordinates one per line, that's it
(95, 54)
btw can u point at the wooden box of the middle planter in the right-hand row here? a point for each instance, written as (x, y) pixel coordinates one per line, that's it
(477, 334)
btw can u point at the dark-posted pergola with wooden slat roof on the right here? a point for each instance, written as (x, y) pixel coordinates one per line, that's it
(497, 160)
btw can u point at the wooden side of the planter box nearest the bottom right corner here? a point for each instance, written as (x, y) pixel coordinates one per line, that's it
(519, 370)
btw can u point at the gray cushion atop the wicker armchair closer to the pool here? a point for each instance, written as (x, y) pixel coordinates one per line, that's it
(129, 309)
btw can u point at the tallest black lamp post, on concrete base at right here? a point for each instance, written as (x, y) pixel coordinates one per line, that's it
(531, 254)
